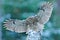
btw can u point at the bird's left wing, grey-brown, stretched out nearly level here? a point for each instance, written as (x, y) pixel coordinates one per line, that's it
(15, 25)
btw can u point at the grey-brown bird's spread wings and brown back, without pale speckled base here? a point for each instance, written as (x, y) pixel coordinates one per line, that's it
(35, 22)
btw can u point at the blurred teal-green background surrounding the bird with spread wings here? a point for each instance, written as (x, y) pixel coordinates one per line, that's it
(21, 9)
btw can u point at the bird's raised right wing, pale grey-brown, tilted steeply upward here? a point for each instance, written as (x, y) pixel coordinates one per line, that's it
(45, 13)
